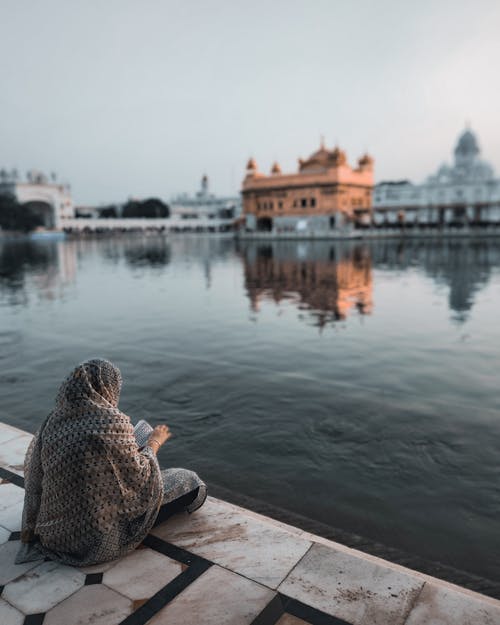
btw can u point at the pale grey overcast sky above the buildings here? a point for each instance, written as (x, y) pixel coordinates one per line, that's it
(141, 97)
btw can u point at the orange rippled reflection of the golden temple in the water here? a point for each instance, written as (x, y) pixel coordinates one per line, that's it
(329, 281)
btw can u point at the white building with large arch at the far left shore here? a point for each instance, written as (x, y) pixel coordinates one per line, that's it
(51, 200)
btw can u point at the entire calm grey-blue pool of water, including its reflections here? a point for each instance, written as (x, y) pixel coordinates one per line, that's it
(356, 384)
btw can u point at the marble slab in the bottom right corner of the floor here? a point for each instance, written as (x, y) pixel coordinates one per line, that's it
(437, 605)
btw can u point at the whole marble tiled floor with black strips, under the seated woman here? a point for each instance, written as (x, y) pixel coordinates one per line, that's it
(223, 565)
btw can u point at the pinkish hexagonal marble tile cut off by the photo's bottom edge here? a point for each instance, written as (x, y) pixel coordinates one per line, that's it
(91, 605)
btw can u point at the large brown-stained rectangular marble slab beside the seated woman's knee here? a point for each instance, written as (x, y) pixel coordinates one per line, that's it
(251, 547)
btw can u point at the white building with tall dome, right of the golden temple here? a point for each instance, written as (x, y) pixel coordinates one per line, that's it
(466, 193)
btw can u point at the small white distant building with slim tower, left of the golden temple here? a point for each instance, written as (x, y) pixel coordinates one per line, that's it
(205, 205)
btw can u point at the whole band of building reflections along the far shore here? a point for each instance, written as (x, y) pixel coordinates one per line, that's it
(330, 281)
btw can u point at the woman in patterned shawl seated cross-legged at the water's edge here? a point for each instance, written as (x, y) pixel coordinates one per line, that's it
(91, 495)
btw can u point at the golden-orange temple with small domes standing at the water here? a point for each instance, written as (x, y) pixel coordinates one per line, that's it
(325, 194)
